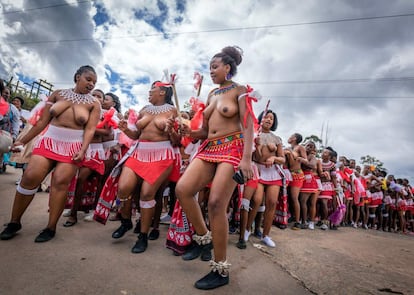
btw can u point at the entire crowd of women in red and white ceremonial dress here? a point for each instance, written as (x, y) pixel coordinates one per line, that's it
(217, 158)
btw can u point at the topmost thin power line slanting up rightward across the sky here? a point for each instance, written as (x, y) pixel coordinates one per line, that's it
(221, 30)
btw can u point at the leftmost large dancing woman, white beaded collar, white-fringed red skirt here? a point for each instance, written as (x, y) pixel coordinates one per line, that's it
(72, 116)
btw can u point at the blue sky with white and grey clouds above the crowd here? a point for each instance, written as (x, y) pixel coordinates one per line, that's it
(344, 67)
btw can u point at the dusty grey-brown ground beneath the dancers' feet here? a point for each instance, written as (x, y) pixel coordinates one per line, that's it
(85, 260)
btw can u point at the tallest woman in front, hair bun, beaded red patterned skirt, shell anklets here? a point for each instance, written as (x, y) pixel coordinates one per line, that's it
(228, 130)
